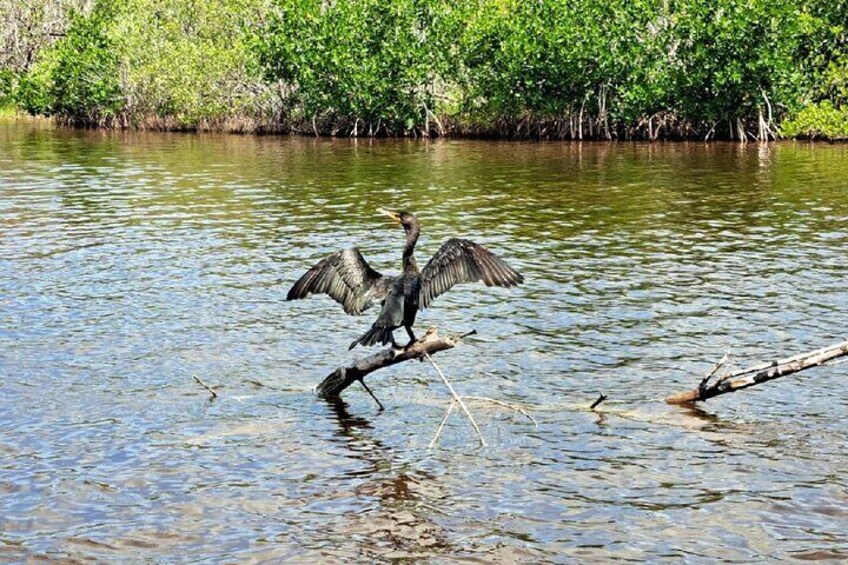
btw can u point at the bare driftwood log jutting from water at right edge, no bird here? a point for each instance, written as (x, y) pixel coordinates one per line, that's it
(744, 378)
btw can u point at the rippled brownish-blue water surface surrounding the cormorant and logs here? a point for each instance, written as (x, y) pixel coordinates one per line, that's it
(131, 262)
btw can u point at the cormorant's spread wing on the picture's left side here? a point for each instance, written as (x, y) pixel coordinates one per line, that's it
(347, 277)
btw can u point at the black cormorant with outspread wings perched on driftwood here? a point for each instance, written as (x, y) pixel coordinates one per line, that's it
(350, 280)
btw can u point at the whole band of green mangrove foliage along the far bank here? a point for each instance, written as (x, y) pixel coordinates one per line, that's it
(609, 68)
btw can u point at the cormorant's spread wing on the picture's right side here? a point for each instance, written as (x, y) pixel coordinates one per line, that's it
(460, 260)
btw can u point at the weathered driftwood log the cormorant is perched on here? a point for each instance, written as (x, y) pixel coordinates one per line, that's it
(431, 342)
